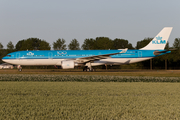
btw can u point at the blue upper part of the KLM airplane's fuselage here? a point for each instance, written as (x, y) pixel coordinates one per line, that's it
(73, 54)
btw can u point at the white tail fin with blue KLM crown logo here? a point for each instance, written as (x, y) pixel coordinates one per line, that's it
(160, 41)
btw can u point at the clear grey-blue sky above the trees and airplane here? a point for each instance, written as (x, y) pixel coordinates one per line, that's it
(49, 20)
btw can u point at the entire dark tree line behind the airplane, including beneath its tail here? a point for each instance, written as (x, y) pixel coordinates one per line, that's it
(99, 43)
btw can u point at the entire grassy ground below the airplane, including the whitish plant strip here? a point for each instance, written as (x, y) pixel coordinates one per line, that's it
(29, 99)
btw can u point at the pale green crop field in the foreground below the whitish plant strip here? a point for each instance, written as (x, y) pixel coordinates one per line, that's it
(89, 100)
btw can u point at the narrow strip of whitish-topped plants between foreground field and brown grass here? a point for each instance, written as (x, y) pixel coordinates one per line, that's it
(85, 78)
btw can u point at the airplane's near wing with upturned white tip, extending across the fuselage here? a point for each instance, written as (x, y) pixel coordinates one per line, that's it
(103, 56)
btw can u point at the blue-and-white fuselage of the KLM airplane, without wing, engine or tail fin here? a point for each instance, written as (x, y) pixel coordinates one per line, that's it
(53, 57)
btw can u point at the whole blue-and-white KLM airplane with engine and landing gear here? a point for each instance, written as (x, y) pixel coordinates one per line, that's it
(68, 59)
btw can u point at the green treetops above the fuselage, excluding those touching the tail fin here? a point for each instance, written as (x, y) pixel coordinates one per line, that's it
(60, 44)
